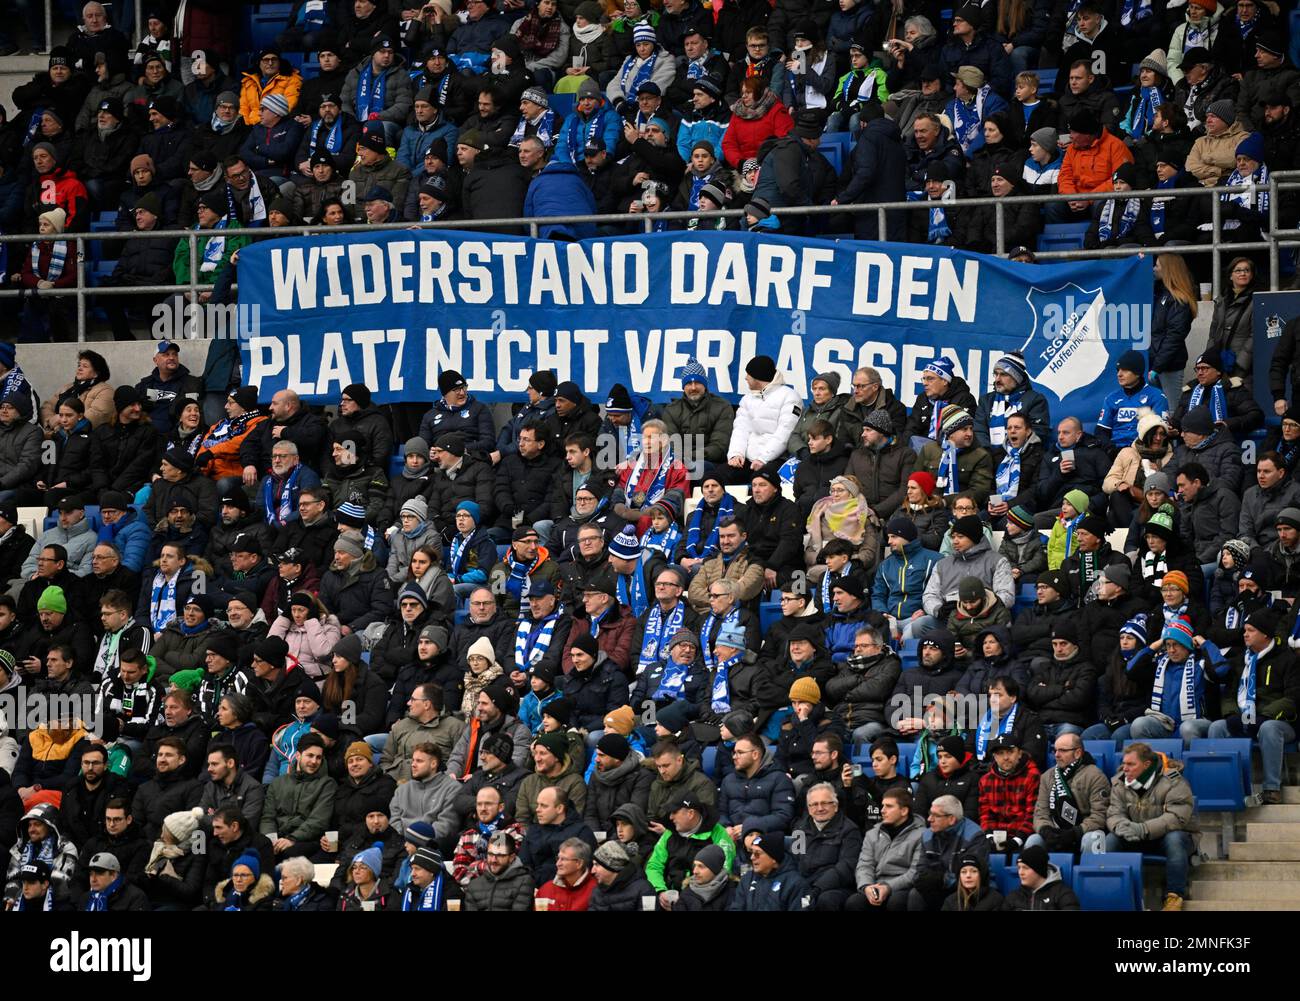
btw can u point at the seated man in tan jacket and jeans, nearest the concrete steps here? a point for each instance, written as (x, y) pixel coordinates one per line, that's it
(1150, 812)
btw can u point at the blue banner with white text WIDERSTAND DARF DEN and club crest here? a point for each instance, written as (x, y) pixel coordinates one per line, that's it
(393, 310)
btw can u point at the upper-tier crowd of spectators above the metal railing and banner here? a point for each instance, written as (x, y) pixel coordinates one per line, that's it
(410, 112)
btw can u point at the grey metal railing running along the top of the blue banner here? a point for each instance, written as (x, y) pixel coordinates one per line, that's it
(1275, 240)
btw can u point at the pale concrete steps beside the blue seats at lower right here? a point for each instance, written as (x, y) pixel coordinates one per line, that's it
(1262, 873)
